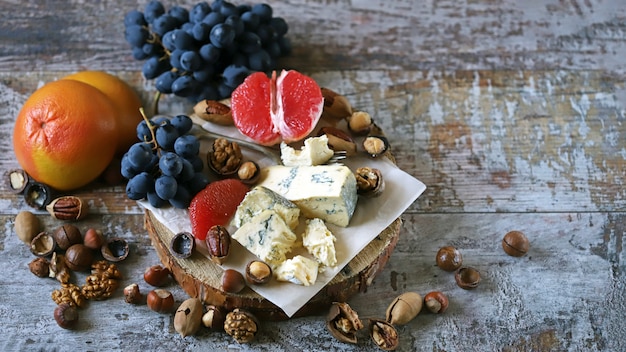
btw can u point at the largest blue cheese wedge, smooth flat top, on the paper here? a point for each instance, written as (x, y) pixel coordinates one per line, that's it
(327, 192)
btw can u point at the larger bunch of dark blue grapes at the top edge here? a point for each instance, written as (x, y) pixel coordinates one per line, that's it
(205, 53)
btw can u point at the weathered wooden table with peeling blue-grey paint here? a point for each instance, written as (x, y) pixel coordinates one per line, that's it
(511, 112)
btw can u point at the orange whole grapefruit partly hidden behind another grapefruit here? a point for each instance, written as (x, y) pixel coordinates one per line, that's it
(125, 101)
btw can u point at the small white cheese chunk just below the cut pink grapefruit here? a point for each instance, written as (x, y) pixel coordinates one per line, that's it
(315, 151)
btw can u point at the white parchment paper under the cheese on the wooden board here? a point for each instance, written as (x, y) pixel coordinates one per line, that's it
(372, 216)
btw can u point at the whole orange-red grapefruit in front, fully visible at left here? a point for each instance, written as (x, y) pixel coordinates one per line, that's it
(65, 135)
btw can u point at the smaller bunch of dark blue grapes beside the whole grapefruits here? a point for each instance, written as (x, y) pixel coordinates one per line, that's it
(165, 167)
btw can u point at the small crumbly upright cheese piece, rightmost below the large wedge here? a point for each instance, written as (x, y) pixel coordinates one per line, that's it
(320, 242)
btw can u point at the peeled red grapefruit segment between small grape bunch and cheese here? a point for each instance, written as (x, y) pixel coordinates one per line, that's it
(215, 205)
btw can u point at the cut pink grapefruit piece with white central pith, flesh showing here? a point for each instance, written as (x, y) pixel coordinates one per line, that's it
(284, 108)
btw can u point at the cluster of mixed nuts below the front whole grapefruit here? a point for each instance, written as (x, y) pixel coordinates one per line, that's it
(65, 250)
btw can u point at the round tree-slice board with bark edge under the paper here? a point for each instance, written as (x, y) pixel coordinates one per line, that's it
(200, 277)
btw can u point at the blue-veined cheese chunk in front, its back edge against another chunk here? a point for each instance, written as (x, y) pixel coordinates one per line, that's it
(267, 236)
